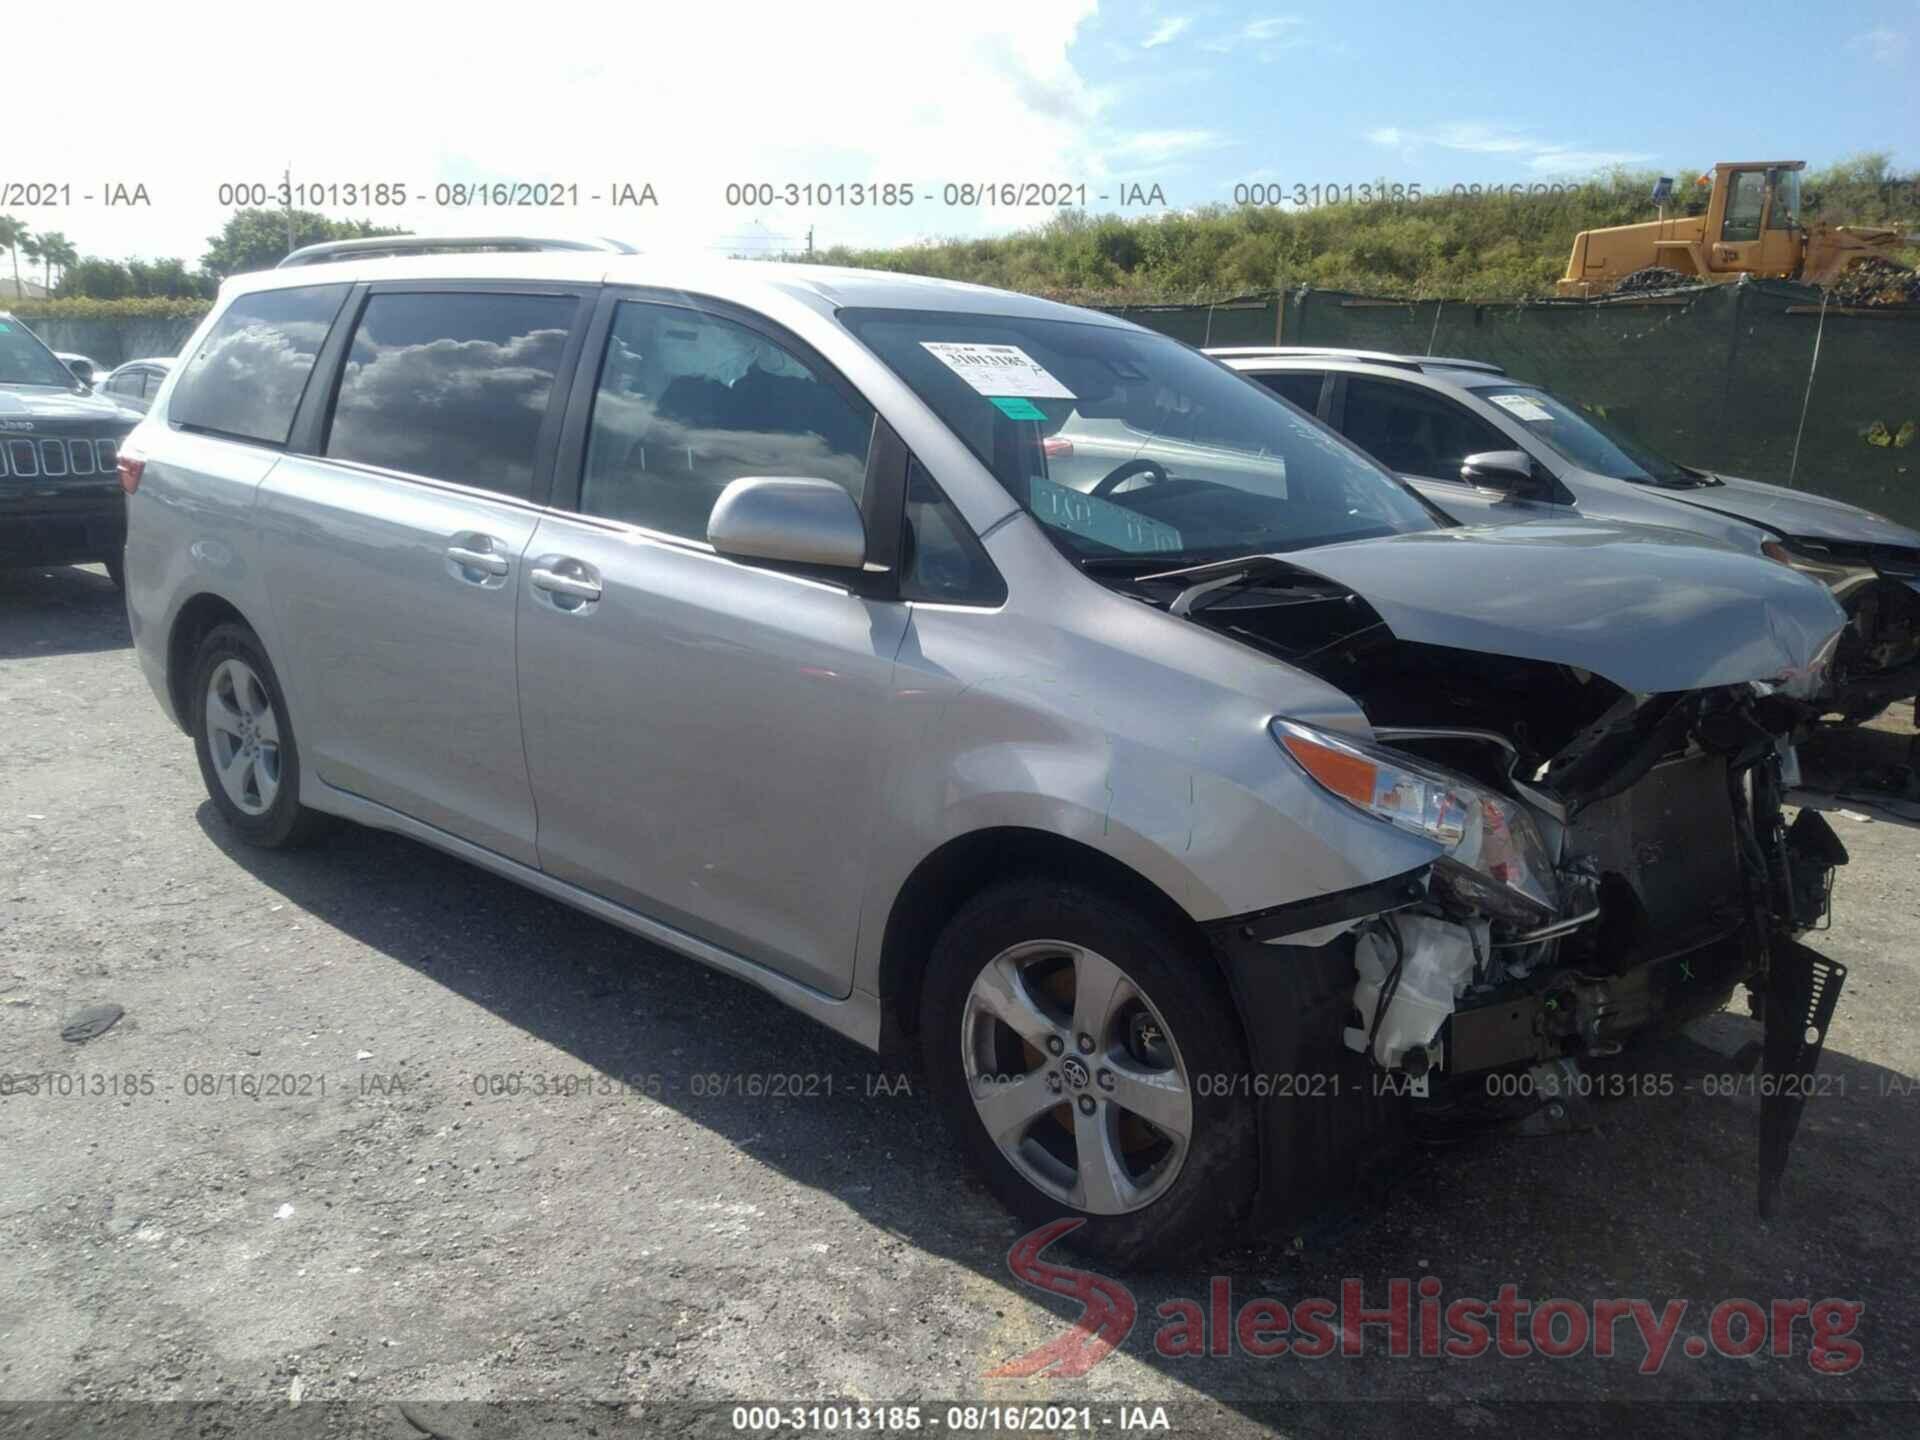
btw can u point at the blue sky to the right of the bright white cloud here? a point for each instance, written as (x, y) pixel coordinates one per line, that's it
(1454, 95)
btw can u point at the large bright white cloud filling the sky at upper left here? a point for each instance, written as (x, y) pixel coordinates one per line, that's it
(688, 99)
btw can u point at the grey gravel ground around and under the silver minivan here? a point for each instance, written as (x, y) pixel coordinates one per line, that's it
(360, 1218)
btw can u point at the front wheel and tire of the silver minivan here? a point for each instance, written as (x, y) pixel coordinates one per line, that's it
(1080, 1049)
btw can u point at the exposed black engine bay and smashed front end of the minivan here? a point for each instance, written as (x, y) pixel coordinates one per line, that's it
(1633, 871)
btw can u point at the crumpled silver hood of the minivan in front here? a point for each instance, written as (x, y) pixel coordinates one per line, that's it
(1652, 612)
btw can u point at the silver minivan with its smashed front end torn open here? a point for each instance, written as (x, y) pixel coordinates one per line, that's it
(1203, 834)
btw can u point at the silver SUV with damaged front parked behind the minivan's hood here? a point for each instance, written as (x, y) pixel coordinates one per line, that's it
(1543, 456)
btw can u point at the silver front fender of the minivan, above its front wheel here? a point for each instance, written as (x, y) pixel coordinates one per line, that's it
(1136, 734)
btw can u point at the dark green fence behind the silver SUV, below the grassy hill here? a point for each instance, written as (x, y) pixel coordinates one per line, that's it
(1756, 379)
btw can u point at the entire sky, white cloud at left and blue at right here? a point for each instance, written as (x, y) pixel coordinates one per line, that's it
(696, 101)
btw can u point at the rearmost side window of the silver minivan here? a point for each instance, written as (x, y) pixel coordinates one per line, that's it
(251, 372)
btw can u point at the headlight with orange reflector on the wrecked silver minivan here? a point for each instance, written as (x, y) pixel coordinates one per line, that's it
(1493, 855)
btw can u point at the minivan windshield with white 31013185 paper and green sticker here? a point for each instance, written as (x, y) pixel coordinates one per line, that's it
(1130, 444)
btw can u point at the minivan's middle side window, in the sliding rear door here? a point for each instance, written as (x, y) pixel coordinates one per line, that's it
(452, 387)
